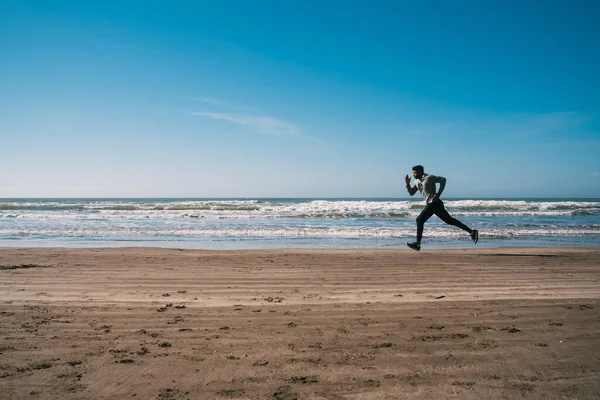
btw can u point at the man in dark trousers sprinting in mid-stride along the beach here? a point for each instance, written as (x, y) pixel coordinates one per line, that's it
(425, 184)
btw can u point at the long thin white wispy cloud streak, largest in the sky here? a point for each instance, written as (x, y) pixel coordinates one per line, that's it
(260, 124)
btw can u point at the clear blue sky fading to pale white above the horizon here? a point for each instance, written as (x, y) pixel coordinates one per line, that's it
(298, 98)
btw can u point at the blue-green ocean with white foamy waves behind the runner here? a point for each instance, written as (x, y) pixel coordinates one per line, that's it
(293, 223)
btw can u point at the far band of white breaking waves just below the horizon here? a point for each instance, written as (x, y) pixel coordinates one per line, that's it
(253, 209)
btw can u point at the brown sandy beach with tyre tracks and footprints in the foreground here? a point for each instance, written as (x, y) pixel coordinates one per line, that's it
(142, 323)
